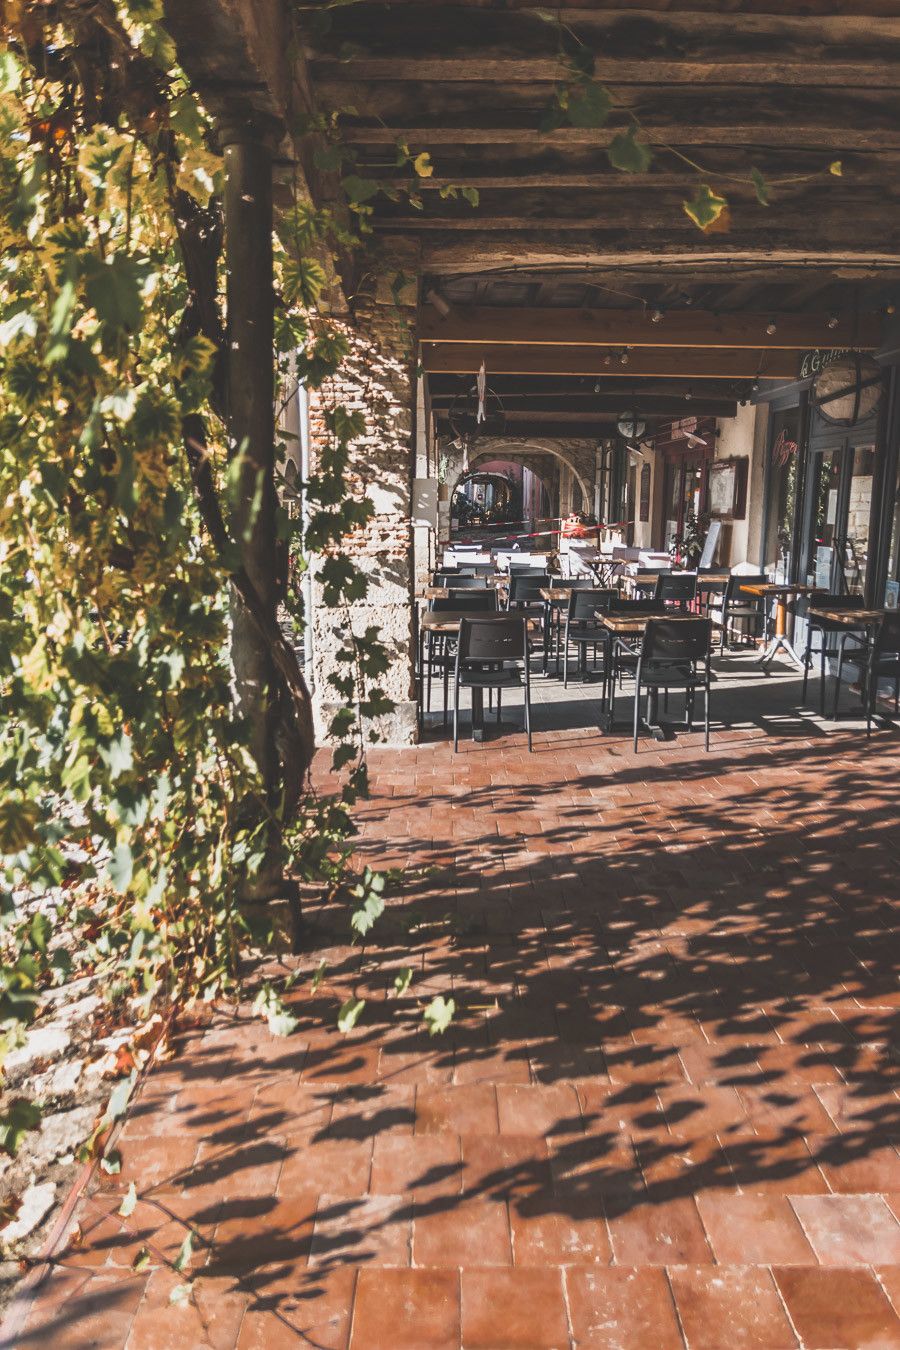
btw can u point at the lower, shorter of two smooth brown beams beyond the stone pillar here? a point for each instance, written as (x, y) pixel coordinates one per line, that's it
(588, 361)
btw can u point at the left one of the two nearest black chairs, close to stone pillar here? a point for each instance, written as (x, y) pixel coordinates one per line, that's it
(493, 654)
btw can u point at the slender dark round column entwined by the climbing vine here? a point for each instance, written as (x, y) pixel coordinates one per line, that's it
(252, 433)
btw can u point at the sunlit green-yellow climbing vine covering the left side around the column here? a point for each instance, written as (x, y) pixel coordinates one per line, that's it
(125, 763)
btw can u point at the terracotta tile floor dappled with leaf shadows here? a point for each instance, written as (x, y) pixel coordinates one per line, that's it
(666, 1116)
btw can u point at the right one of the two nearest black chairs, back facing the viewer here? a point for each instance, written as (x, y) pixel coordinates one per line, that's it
(675, 654)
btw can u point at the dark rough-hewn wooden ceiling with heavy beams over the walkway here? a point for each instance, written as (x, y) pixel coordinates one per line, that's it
(565, 264)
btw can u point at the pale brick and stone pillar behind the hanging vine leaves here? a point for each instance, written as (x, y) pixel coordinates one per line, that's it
(378, 379)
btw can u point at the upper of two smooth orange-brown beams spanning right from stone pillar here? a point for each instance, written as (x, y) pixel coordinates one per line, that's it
(634, 329)
